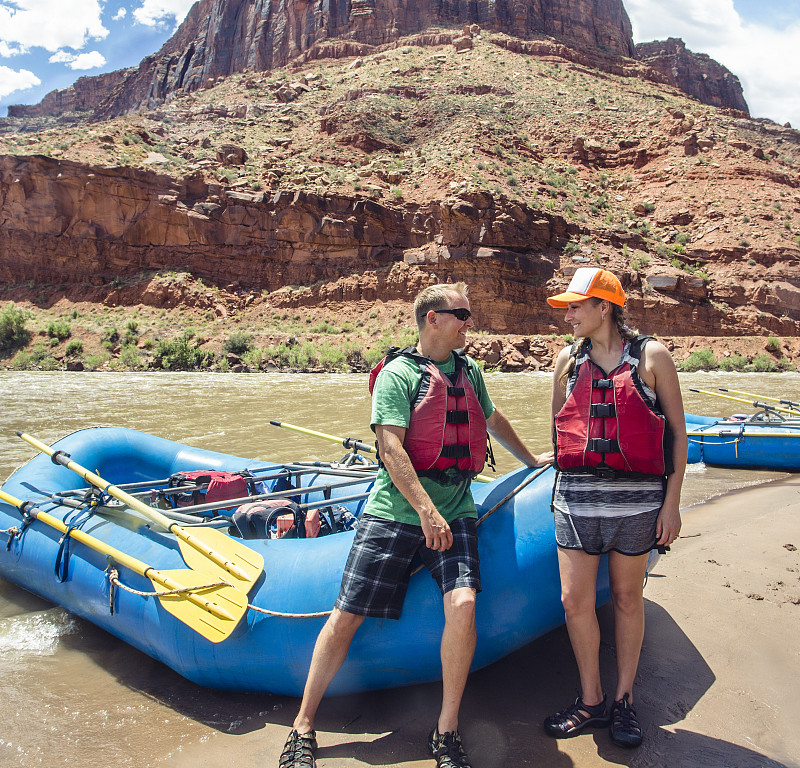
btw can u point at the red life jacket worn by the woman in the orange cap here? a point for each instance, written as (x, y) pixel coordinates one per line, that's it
(608, 426)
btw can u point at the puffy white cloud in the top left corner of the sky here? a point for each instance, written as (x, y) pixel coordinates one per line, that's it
(51, 24)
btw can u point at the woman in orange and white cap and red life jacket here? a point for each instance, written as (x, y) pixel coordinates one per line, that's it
(621, 454)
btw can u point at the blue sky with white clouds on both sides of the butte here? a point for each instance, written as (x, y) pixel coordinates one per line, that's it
(48, 44)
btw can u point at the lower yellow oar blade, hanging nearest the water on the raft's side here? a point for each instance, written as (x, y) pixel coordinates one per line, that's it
(201, 609)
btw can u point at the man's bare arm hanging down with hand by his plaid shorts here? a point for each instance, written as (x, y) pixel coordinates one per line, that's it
(398, 464)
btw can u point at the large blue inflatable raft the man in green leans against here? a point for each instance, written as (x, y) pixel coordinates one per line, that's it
(270, 647)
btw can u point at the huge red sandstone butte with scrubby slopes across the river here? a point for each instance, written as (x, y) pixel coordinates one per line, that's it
(330, 159)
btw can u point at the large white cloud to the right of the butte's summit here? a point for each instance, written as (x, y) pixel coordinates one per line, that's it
(765, 59)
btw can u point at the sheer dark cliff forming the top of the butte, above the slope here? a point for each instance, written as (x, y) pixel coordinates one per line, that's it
(220, 37)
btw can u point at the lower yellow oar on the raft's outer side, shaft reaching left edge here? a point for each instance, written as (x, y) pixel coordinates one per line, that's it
(214, 619)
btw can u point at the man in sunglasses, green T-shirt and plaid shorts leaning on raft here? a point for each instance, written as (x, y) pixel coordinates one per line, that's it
(421, 503)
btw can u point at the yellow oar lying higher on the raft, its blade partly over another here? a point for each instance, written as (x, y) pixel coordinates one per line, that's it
(204, 549)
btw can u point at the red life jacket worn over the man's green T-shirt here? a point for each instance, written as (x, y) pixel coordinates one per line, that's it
(447, 427)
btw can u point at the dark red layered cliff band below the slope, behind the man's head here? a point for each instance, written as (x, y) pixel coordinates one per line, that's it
(62, 222)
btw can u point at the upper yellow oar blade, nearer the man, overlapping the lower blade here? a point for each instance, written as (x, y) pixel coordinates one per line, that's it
(248, 563)
